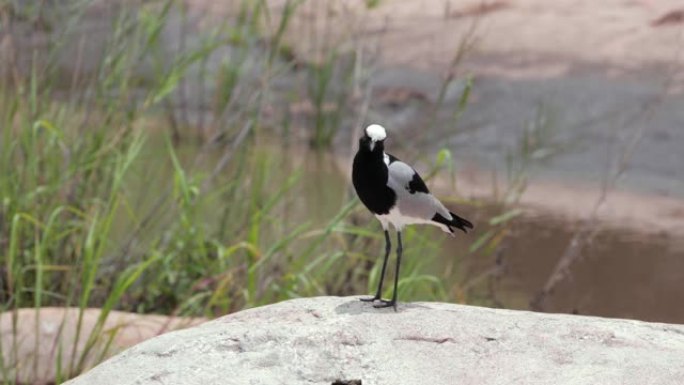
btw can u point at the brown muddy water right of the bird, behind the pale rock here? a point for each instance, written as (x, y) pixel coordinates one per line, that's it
(619, 274)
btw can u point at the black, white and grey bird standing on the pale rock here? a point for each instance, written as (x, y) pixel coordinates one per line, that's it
(396, 194)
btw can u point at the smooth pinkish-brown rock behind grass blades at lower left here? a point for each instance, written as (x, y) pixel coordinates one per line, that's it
(33, 342)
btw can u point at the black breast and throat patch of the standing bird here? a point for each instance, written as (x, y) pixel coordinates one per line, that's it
(369, 176)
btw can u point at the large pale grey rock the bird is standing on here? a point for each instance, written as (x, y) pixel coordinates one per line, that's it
(328, 339)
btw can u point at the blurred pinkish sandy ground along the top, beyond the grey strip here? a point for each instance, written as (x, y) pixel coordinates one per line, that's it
(626, 34)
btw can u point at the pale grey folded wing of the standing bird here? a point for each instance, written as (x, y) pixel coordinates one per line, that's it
(413, 197)
